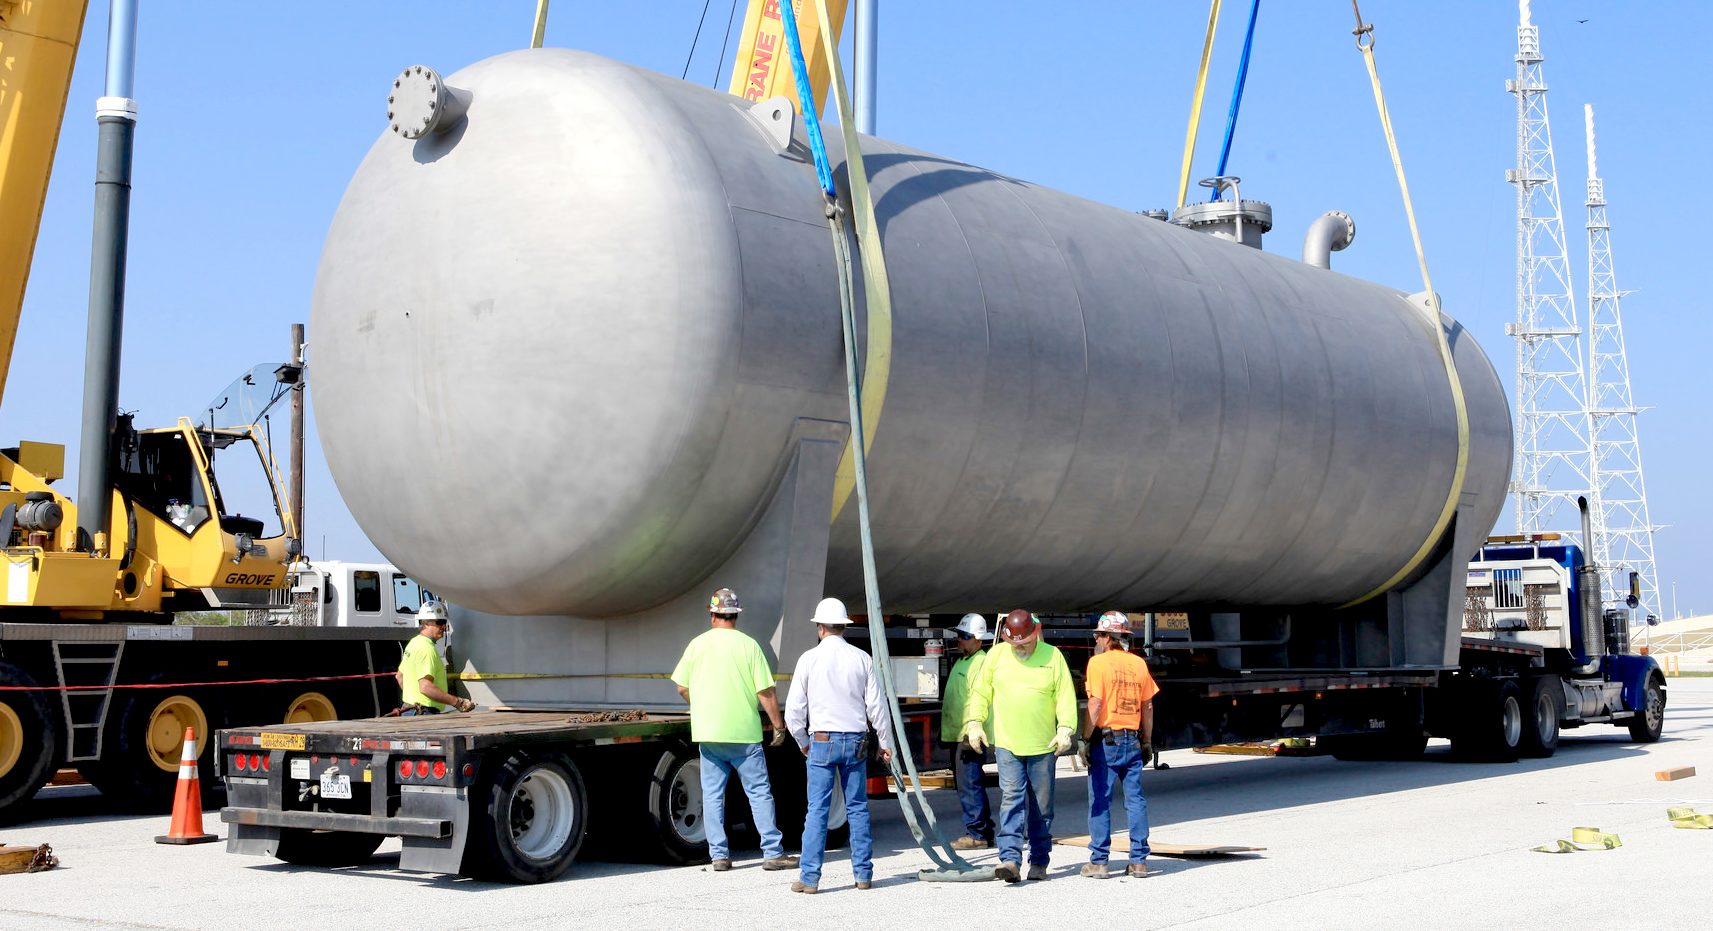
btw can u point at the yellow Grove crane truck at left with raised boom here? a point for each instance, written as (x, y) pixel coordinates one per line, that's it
(93, 671)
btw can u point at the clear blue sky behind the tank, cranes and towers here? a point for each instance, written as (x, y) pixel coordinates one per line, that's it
(253, 123)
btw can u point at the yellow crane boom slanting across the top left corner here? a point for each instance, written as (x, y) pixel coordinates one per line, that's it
(39, 47)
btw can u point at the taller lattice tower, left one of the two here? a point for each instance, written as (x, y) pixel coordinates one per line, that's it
(1553, 447)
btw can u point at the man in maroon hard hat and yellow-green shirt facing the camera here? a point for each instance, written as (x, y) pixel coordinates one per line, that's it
(1027, 687)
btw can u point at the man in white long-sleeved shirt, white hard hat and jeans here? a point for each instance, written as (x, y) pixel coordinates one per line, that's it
(835, 702)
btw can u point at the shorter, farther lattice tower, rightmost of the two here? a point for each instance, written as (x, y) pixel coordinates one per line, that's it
(1620, 515)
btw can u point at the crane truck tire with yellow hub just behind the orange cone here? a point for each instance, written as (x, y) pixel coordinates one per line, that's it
(145, 740)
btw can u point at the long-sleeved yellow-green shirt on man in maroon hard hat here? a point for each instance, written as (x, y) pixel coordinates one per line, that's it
(1029, 700)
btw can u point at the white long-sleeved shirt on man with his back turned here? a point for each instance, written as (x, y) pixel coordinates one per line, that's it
(835, 690)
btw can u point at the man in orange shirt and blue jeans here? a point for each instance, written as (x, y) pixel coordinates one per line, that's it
(1119, 742)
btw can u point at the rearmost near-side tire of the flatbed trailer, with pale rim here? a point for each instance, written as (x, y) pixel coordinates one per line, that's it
(528, 819)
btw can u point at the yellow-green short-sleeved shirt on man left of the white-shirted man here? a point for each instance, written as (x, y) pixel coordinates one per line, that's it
(725, 673)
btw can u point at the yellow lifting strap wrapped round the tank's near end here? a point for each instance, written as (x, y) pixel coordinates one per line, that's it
(876, 285)
